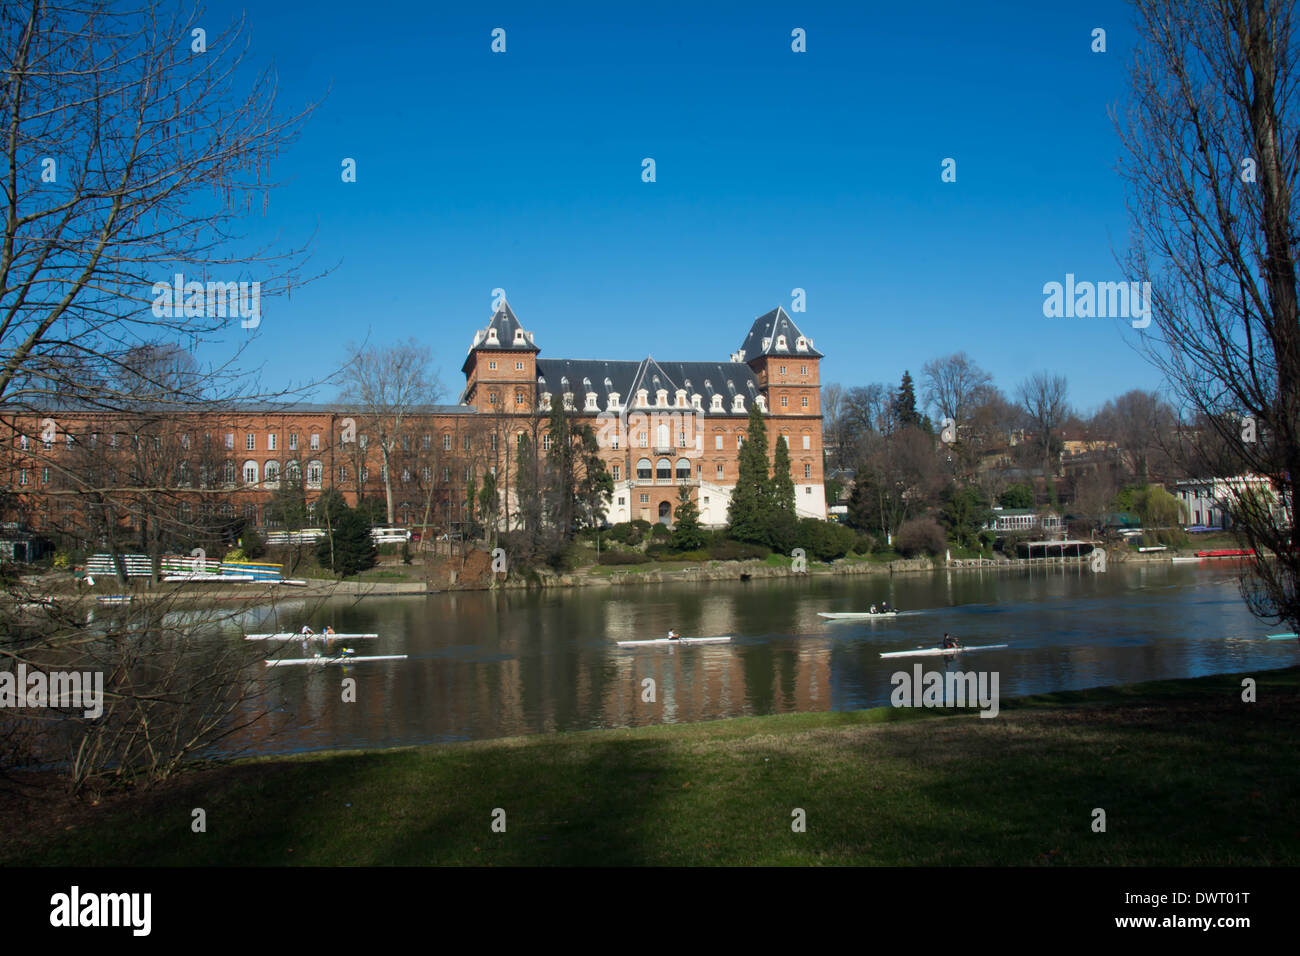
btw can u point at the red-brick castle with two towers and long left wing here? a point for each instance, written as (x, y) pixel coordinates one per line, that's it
(658, 425)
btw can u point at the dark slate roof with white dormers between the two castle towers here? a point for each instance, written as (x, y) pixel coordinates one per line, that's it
(726, 379)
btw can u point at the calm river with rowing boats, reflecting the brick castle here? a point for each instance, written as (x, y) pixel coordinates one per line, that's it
(489, 665)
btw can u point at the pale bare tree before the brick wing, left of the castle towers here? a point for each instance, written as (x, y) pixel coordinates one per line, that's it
(389, 387)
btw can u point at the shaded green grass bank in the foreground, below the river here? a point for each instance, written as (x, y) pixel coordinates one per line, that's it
(1188, 775)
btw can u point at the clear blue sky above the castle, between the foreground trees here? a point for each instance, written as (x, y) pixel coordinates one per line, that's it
(775, 171)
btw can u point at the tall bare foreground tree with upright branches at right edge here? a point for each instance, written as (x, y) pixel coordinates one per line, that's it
(1212, 153)
